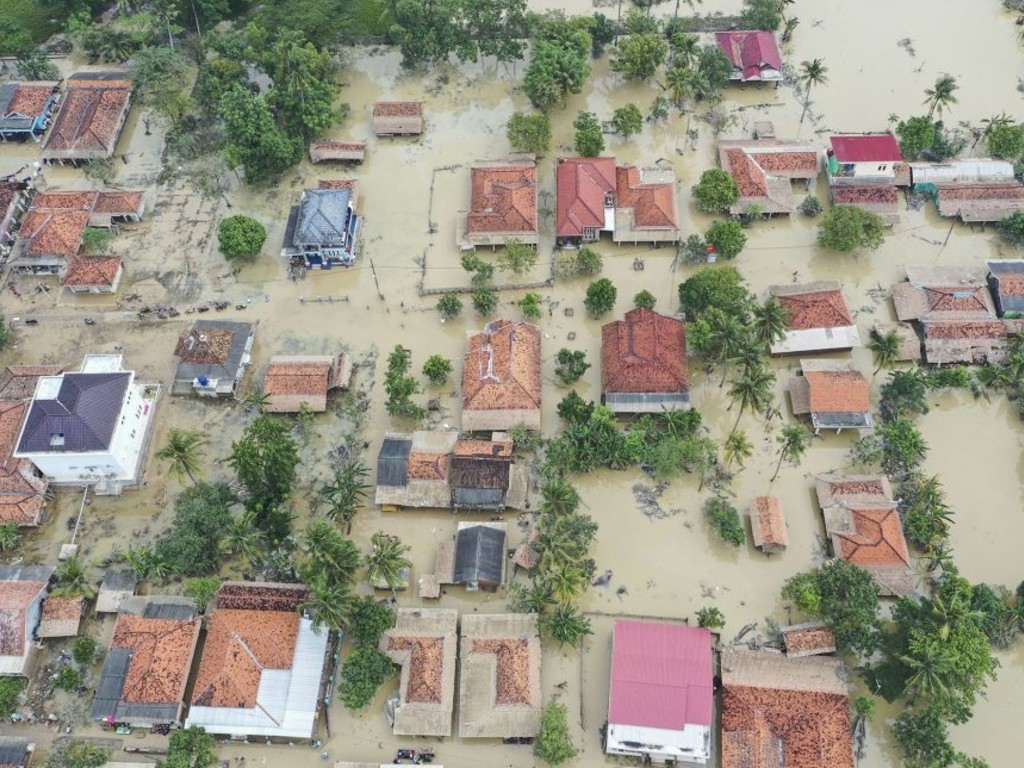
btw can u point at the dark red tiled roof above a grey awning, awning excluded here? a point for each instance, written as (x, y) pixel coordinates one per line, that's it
(645, 353)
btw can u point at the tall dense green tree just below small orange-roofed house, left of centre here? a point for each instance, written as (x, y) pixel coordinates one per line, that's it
(265, 460)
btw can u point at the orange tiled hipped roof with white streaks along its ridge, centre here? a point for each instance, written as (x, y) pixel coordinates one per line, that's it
(502, 370)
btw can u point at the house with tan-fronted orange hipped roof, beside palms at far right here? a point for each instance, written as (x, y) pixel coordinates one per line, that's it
(864, 528)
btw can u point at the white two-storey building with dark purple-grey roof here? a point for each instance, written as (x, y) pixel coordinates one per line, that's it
(89, 428)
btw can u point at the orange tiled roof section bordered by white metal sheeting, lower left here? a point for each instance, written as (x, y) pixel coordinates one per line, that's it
(240, 645)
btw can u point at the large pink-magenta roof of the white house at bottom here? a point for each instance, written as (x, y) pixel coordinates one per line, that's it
(661, 676)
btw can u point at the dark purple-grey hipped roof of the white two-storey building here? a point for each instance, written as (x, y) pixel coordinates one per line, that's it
(81, 418)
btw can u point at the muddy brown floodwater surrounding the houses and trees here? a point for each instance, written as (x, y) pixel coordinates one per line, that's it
(666, 564)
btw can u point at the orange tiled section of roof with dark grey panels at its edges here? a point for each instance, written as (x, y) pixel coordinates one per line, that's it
(161, 657)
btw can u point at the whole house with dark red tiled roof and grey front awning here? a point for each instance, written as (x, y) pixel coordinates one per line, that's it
(644, 364)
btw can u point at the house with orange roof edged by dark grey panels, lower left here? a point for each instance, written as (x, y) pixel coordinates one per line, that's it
(147, 667)
